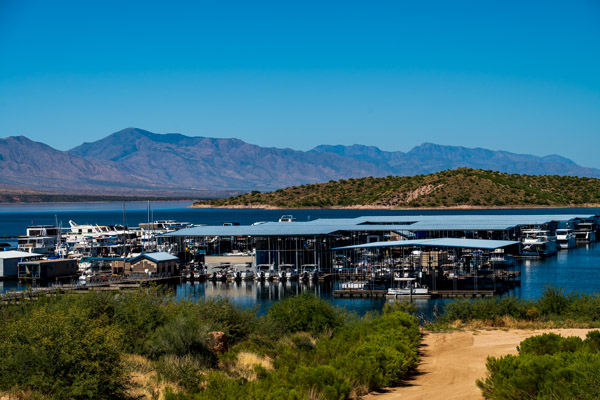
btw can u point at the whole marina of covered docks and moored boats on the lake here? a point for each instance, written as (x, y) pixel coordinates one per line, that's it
(380, 257)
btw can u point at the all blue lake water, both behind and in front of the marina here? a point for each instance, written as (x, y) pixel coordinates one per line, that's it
(575, 270)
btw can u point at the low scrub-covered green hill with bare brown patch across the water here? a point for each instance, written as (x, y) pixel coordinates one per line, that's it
(453, 188)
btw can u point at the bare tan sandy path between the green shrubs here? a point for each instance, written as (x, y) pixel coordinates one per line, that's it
(451, 362)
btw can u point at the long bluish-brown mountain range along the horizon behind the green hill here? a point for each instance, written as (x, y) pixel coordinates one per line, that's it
(137, 161)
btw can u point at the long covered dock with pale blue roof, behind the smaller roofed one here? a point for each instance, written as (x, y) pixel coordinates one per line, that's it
(312, 242)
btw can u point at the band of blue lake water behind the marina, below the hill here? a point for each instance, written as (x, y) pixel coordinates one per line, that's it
(14, 218)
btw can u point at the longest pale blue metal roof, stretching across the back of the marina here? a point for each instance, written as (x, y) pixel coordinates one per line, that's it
(325, 226)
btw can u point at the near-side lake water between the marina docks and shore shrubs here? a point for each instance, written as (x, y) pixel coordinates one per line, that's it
(573, 270)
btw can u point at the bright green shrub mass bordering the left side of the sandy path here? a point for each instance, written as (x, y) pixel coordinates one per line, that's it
(365, 353)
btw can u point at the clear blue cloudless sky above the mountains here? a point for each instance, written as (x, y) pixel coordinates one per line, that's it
(522, 76)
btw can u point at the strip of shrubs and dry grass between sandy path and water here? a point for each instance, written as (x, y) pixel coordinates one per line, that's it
(554, 308)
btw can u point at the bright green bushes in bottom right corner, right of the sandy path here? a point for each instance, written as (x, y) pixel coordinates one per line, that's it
(547, 367)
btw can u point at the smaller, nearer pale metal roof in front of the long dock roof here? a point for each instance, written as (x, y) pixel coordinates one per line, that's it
(444, 242)
